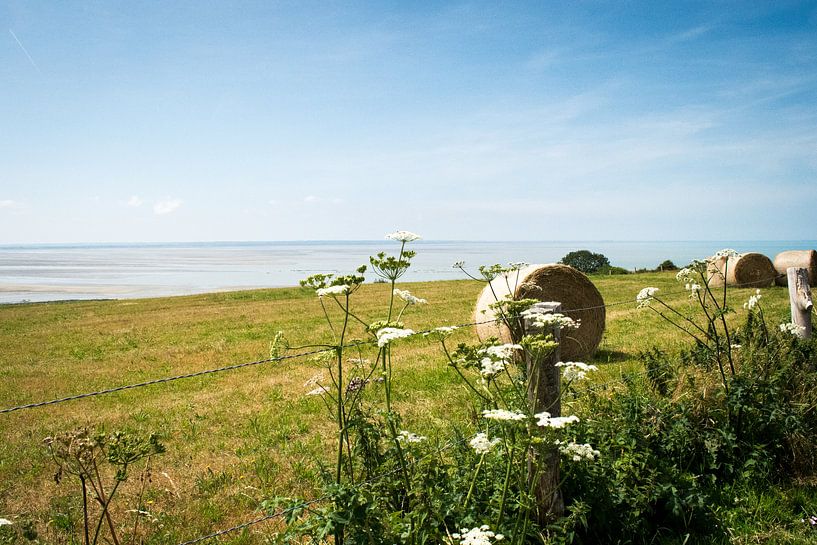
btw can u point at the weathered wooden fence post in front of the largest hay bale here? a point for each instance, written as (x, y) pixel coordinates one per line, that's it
(544, 391)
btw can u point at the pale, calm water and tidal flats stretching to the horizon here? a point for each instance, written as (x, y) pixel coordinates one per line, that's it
(57, 272)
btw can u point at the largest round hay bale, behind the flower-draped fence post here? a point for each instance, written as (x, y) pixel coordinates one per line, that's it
(549, 283)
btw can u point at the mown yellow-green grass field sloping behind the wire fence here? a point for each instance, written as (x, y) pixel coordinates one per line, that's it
(237, 437)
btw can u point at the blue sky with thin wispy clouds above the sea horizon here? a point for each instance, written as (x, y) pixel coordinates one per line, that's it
(198, 121)
